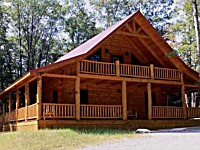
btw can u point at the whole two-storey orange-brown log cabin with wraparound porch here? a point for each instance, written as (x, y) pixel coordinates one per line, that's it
(124, 77)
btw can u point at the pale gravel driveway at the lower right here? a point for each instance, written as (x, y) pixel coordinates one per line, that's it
(173, 139)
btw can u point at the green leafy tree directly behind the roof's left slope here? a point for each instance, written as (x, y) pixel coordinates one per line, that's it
(79, 24)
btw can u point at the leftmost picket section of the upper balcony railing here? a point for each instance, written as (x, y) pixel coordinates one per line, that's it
(87, 66)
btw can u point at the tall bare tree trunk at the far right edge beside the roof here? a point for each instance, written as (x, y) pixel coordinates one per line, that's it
(196, 24)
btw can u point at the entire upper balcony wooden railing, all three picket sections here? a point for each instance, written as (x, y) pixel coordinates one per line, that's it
(126, 70)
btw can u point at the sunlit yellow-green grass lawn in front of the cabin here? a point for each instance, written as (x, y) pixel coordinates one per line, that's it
(62, 139)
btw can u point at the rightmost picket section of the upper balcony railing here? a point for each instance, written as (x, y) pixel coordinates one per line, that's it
(168, 74)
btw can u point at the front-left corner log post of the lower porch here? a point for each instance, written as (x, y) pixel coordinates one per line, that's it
(39, 97)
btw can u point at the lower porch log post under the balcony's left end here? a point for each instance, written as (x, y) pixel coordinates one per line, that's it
(77, 98)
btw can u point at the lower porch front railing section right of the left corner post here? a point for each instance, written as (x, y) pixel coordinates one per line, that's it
(58, 110)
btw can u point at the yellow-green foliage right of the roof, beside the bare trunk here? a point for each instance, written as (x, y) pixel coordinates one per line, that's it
(183, 34)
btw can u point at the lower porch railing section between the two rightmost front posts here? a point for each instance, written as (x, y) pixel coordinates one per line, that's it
(167, 112)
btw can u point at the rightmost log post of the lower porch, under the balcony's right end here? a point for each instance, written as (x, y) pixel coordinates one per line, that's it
(183, 98)
